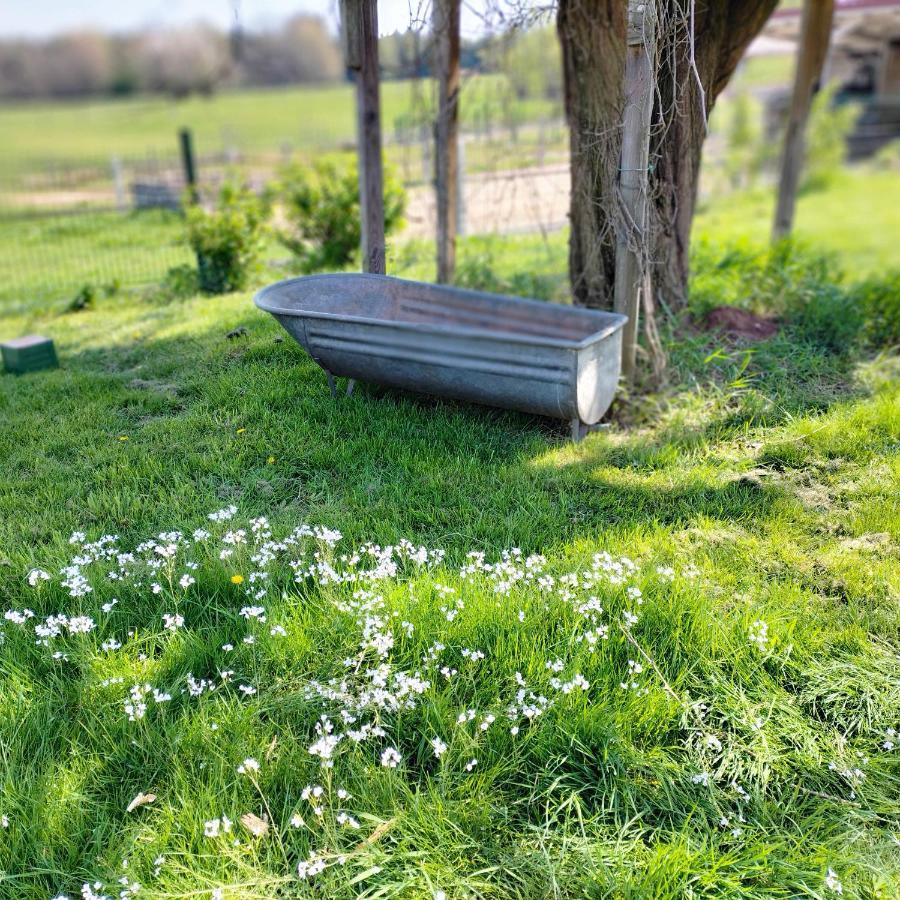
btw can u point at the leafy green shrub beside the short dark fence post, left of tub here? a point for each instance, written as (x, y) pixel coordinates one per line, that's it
(228, 240)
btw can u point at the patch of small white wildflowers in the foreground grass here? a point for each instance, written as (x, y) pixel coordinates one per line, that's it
(380, 676)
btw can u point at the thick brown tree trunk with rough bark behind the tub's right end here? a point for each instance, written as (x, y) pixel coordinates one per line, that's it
(592, 35)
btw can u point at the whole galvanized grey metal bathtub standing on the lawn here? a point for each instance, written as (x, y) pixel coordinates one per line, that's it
(502, 351)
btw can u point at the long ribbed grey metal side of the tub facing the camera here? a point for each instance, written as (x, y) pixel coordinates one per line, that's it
(488, 370)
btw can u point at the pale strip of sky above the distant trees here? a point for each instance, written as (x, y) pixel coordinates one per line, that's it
(40, 18)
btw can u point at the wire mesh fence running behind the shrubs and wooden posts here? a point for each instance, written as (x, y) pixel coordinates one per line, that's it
(117, 222)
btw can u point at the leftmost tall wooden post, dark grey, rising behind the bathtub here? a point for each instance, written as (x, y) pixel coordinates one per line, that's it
(360, 31)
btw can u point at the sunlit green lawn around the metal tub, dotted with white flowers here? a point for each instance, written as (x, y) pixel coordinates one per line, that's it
(672, 674)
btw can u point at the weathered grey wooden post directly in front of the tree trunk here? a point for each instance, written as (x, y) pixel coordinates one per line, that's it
(632, 240)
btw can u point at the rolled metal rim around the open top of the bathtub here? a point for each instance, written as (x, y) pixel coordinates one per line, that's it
(263, 299)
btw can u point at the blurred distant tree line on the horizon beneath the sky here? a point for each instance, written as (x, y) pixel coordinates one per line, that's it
(200, 59)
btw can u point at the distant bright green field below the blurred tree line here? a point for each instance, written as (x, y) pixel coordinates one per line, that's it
(252, 121)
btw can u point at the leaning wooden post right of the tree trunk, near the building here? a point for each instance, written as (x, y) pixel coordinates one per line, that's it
(815, 33)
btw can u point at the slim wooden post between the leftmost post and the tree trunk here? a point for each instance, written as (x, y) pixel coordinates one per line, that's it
(445, 24)
